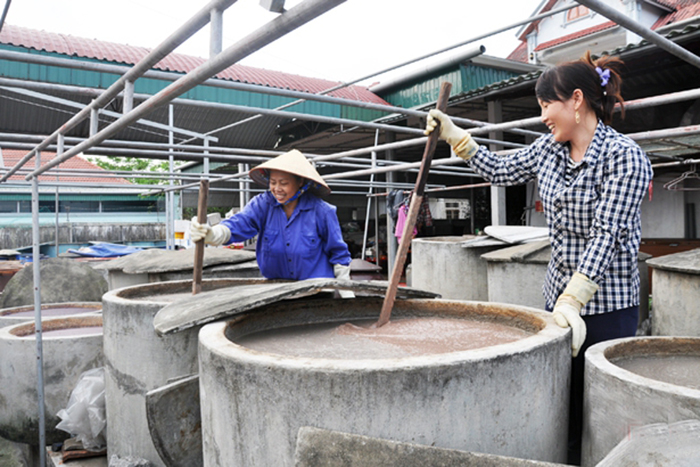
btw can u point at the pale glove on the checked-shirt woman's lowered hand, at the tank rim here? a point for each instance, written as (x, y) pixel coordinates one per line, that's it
(567, 311)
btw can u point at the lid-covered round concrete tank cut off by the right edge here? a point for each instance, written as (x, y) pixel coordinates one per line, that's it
(676, 282)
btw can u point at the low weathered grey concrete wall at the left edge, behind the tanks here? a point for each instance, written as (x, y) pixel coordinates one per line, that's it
(17, 237)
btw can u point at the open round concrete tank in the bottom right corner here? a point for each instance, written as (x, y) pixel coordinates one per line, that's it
(634, 382)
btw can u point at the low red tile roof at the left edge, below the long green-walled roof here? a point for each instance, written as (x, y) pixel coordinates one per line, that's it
(10, 157)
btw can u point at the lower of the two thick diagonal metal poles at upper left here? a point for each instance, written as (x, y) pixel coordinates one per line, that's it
(283, 24)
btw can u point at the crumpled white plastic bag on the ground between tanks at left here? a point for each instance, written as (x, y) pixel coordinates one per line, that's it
(84, 417)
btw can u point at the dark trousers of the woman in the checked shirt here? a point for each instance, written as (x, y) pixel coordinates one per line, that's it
(603, 327)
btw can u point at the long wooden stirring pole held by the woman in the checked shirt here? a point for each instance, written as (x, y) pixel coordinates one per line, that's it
(414, 207)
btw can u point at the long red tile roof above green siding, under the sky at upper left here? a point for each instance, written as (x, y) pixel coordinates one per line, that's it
(121, 53)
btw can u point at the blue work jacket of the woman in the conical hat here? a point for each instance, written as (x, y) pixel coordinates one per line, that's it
(305, 246)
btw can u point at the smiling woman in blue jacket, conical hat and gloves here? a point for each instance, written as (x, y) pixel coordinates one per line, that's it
(299, 235)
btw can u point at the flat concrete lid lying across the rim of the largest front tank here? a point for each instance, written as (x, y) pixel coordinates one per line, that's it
(226, 302)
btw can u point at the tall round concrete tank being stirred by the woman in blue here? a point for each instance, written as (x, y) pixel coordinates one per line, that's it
(139, 360)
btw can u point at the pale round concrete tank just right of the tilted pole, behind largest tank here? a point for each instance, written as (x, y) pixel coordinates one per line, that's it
(442, 265)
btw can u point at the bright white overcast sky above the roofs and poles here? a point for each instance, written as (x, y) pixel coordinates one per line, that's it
(351, 41)
